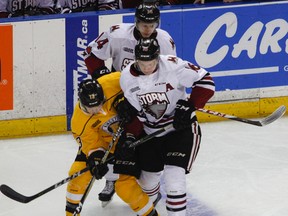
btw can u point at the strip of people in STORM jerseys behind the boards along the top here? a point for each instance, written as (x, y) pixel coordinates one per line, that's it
(16, 8)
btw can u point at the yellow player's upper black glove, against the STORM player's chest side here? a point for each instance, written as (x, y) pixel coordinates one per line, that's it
(125, 110)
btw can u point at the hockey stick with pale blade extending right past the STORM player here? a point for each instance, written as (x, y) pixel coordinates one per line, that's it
(278, 113)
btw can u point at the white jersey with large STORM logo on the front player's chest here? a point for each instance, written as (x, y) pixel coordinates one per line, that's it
(155, 95)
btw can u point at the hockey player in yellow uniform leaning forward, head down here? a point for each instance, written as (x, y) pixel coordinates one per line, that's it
(93, 123)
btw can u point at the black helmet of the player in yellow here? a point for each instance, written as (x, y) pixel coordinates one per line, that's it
(90, 93)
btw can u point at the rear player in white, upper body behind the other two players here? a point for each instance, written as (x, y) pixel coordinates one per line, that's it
(119, 42)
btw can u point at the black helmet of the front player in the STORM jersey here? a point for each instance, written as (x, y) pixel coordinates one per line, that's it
(147, 49)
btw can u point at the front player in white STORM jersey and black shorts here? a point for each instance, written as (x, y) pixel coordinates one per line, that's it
(156, 85)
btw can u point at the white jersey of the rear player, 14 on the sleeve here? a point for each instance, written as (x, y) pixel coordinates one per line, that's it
(119, 43)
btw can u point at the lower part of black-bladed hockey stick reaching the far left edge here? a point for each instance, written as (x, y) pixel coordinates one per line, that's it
(12, 194)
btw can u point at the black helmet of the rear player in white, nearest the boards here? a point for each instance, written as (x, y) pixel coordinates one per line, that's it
(148, 13)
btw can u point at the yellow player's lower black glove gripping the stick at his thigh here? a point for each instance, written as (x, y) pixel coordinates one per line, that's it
(97, 169)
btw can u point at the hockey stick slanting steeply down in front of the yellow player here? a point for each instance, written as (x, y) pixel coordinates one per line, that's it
(111, 144)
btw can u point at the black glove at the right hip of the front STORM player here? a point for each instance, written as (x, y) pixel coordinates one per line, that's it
(183, 115)
